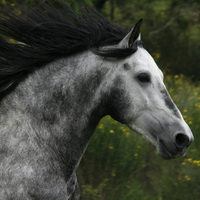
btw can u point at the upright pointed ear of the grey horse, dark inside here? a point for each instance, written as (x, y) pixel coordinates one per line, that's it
(132, 36)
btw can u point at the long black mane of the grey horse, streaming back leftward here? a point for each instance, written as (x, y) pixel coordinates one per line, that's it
(40, 35)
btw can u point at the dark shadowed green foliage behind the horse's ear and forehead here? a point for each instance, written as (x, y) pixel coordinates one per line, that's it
(170, 29)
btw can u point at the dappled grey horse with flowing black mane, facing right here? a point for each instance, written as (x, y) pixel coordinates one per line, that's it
(60, 73)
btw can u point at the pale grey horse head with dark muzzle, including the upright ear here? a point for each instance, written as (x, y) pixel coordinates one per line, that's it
(139, 99)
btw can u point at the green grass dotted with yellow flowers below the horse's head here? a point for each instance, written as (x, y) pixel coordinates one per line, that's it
(121, 165)
